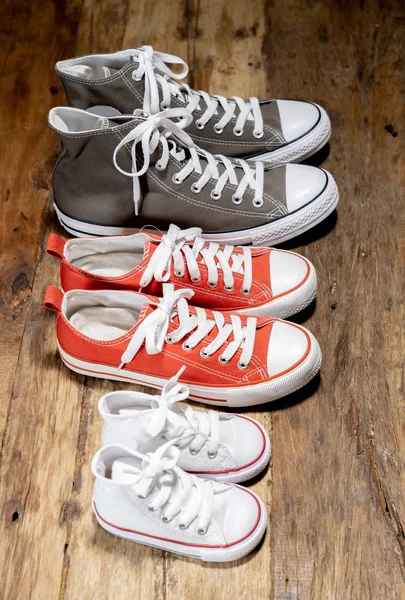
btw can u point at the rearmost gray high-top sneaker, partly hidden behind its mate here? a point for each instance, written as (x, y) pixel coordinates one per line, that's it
(273, 131)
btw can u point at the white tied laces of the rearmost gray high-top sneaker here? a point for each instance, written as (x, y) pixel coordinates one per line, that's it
(161, 85)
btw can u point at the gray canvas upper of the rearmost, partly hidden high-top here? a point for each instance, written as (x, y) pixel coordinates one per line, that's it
(108, 80)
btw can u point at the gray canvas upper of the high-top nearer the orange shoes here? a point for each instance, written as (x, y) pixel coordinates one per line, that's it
(88, 187)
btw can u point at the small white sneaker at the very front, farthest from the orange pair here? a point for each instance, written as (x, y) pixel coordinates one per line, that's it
(150, 500)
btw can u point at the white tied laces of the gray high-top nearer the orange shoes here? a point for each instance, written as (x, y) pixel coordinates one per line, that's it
(157, 129)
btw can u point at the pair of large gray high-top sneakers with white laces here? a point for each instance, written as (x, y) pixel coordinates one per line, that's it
(139, 148)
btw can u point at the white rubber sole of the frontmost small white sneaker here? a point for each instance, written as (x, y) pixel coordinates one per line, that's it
(205, 554)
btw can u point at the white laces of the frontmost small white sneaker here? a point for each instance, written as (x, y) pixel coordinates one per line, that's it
(192, 499)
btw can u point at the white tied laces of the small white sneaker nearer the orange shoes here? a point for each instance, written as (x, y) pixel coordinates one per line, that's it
(185, 425)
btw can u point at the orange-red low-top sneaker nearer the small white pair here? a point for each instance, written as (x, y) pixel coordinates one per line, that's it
(231, 360)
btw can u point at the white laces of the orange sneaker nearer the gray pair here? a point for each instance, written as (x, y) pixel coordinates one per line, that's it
(174, 251)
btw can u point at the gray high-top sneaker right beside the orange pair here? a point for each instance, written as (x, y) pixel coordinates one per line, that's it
(116, 175)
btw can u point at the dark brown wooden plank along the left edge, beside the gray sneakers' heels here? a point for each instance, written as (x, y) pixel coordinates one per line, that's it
(32, 35)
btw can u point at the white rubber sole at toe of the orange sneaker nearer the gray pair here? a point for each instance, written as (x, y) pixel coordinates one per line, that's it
(288, 305)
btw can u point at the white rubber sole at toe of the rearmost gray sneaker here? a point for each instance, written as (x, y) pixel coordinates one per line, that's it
(302, 148)
